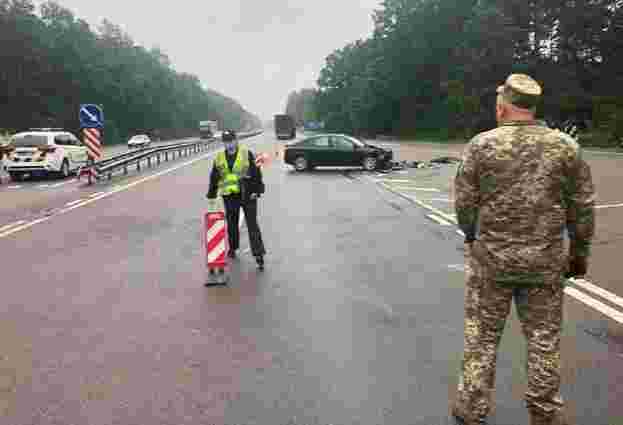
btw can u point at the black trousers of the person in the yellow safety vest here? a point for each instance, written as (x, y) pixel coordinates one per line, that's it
(233, 203)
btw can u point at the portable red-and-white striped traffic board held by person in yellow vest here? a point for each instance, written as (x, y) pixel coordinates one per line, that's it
(215, 231)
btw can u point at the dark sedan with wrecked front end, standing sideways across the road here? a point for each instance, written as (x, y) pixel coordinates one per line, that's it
(335, 150)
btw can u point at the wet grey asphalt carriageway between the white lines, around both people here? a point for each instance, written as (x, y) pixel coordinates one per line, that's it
(357, 319)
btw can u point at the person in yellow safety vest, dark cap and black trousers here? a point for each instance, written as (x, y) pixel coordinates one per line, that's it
(236, 177)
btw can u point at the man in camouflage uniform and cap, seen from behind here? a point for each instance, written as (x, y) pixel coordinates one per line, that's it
(517, 189)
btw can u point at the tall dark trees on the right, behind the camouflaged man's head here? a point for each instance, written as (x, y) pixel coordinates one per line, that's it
(431, 67)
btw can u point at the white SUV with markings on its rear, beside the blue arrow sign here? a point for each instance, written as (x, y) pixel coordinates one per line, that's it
(44, 151)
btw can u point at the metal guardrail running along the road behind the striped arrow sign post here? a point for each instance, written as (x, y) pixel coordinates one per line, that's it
(108, 166)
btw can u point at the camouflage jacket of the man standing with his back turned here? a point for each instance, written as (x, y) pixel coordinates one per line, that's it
(516, 190)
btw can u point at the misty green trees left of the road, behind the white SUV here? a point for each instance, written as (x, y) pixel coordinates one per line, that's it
(53, 61)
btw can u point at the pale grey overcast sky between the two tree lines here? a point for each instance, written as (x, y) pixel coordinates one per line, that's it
(253, 51)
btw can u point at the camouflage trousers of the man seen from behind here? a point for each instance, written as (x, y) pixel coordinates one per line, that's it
(487, 305)
